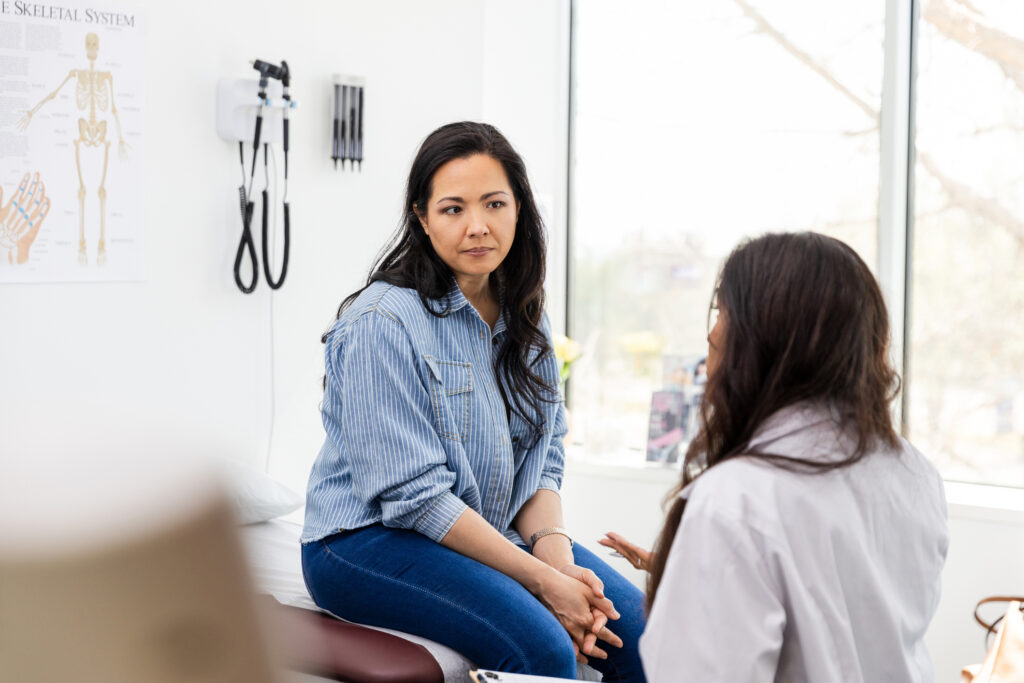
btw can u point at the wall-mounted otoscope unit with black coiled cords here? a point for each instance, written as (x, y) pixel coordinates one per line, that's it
(239, 102)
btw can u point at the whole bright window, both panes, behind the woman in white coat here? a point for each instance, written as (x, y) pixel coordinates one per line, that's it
(695, 125)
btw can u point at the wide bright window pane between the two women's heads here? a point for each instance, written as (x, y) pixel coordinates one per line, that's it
(694, 126)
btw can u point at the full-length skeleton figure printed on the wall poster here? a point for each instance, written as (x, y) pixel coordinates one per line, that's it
(94, 92)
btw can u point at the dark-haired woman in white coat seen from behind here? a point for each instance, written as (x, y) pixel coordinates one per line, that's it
(806, 539)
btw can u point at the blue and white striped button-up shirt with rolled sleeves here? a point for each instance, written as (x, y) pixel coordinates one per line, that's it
(417, 431)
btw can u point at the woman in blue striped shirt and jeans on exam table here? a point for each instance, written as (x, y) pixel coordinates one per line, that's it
(433, 507)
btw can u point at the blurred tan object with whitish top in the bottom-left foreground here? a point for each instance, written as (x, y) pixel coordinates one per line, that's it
(119, 571)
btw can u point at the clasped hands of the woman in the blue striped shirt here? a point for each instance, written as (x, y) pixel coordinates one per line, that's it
(581, 611)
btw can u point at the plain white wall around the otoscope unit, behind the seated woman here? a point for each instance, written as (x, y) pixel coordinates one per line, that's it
(184, 361)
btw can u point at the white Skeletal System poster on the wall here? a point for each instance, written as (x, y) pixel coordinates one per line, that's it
(71, 143)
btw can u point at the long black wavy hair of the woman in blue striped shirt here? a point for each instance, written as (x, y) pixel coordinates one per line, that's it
(410, 261)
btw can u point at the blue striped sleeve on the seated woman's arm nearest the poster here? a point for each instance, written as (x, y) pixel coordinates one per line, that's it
(378, 413)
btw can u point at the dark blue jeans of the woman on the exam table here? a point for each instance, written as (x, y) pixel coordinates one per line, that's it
(402, 580)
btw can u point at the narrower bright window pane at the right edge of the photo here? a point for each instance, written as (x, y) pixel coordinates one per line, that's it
(966, 369)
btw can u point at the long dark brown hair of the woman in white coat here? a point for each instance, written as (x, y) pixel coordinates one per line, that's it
(805, 321)
